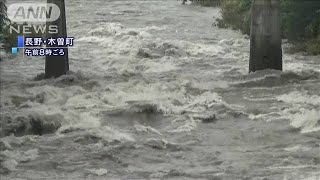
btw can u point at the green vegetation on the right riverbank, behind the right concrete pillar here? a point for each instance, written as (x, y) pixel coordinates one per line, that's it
(300, 21)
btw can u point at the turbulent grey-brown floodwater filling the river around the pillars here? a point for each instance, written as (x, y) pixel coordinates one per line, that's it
(157, 92)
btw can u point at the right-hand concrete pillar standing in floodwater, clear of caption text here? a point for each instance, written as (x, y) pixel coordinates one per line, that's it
(265, 36)
